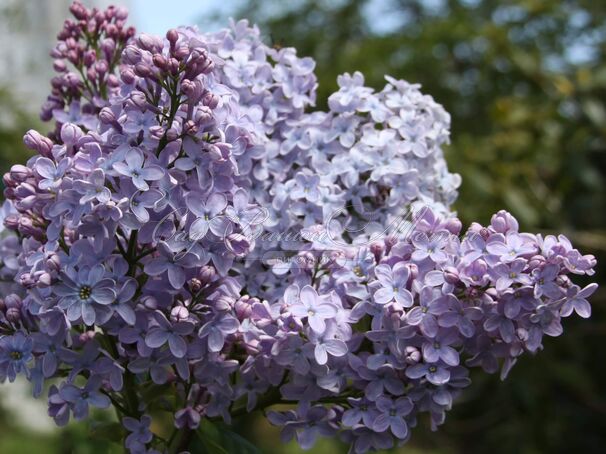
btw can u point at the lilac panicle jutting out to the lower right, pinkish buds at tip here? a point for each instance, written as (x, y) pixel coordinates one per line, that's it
(421, 309)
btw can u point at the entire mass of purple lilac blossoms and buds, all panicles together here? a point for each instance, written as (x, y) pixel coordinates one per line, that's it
(191, 240)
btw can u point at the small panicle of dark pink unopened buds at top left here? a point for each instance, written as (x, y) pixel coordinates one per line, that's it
(85, 58)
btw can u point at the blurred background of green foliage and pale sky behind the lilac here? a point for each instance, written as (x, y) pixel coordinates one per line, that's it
(525, 82)
